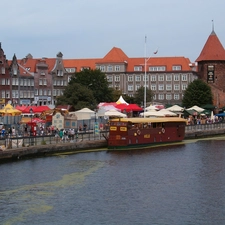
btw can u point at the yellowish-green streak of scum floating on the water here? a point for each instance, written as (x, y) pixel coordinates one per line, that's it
(32, 199)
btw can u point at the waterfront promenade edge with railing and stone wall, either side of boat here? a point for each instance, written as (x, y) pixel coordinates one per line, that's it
(20, 147)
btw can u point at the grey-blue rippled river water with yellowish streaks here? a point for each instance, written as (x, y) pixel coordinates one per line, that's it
(182, 184)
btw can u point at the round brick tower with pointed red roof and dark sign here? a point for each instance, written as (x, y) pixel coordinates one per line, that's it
(211, 68)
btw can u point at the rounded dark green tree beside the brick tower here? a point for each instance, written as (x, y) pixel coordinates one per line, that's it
(197, 93)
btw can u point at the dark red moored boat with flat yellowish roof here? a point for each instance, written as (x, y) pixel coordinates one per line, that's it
(137, 132)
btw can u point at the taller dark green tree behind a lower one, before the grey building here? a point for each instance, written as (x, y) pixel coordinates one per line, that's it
(96, 81)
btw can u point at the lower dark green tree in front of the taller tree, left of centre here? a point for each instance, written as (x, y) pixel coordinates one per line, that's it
(78, 96)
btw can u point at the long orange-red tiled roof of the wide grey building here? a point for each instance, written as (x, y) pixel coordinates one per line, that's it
(115, 55)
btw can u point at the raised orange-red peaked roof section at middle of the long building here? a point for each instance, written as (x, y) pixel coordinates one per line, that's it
(115, 55)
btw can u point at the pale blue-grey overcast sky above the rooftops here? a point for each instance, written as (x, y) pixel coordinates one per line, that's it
(90, 28)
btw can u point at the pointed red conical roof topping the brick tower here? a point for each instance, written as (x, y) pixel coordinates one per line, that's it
(212, 50)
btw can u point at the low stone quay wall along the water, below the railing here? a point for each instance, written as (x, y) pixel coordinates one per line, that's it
(85, 145)
